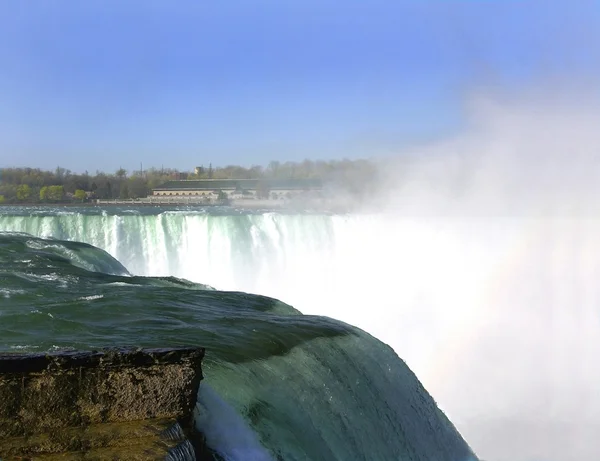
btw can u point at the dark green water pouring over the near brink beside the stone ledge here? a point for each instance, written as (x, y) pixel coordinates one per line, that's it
(278, 384)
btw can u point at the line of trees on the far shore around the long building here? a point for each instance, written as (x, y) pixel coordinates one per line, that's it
(34, 185)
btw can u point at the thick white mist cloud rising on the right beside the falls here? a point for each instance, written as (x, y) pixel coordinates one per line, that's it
(501, 282)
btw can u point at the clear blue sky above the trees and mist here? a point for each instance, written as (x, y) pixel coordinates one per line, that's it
(100, 84)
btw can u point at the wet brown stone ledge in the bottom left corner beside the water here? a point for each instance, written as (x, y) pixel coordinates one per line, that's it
(91, 405)
